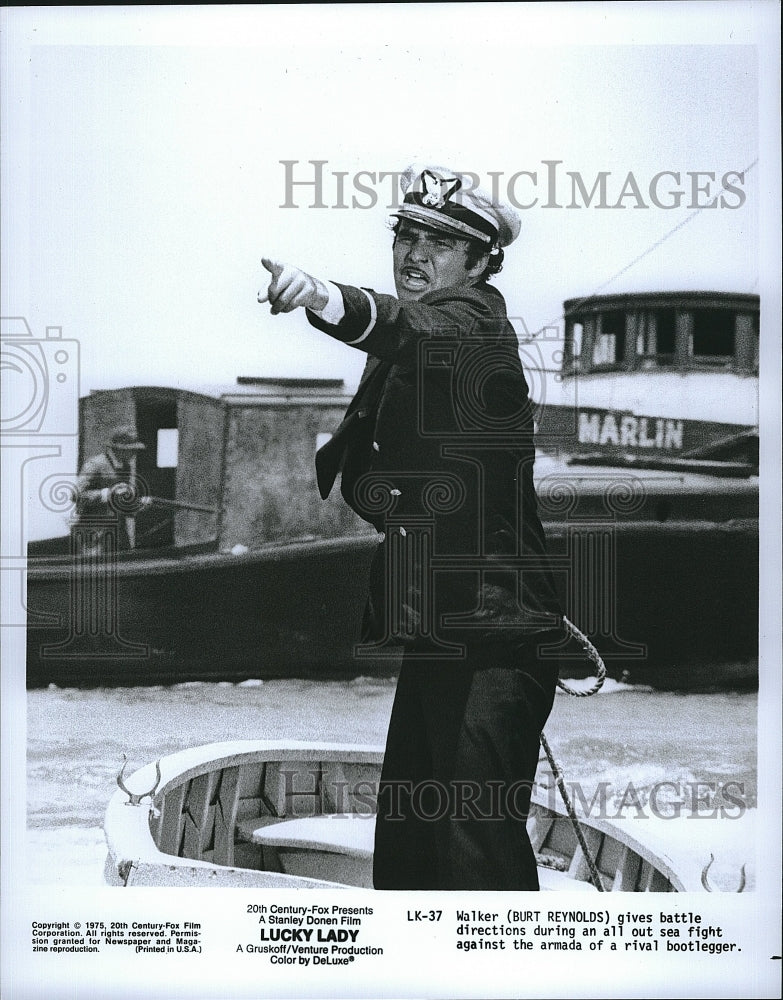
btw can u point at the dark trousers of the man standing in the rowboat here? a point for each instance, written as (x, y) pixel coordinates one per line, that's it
(461, 756)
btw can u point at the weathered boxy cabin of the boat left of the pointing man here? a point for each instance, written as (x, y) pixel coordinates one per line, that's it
(231, 469)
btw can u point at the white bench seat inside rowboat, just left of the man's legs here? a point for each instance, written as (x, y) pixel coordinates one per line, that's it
(350, 834)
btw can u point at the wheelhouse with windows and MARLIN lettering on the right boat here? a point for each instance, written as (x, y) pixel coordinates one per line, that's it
(665, 374)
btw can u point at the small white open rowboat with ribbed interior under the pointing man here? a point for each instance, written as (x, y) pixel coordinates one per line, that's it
(277, 815)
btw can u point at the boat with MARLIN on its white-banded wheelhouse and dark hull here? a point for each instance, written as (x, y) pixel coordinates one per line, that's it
(664, 387)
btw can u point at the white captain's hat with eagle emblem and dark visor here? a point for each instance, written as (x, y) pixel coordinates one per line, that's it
(448, 201)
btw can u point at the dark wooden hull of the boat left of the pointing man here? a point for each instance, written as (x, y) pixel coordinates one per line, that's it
(274, 612)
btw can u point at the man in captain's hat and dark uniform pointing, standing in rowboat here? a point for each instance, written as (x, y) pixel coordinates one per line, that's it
(436, 451)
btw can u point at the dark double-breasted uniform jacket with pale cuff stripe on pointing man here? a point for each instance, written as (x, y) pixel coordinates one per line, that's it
(436, 450)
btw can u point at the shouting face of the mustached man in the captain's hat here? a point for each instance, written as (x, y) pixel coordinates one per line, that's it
(426, 260)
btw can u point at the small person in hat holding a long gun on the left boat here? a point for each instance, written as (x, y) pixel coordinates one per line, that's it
(106, 499)
